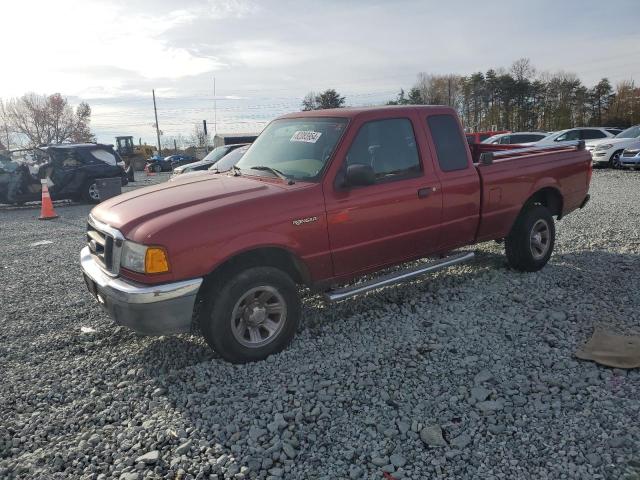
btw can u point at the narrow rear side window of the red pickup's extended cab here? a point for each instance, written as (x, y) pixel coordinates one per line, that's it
(450, 149)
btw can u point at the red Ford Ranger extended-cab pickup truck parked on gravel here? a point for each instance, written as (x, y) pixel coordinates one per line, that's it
(320, 199)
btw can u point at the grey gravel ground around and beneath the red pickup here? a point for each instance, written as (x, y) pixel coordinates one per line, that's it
(467, 374)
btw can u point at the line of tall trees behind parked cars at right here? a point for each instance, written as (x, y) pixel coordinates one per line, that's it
(519, 99)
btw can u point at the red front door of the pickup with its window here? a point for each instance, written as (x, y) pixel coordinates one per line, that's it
(396, 218)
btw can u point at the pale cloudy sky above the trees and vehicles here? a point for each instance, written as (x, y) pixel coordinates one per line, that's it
(266, 55)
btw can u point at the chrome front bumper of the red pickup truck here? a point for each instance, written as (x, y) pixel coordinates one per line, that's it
(147, 309)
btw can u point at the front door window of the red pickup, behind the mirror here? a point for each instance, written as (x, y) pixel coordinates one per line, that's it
(387, 146)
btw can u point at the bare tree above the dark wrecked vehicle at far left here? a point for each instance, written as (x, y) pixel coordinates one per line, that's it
(45, 120)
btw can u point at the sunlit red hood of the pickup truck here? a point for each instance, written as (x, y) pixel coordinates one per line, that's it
(186, 192)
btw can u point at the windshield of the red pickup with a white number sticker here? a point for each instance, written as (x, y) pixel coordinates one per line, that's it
(297, 147)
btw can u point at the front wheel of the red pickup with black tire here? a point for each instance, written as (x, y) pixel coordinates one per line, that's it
(240, 290)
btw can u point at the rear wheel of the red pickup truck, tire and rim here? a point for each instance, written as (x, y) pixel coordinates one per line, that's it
(523, 246)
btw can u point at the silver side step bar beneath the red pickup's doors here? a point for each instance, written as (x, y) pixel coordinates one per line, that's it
(396, 277)
